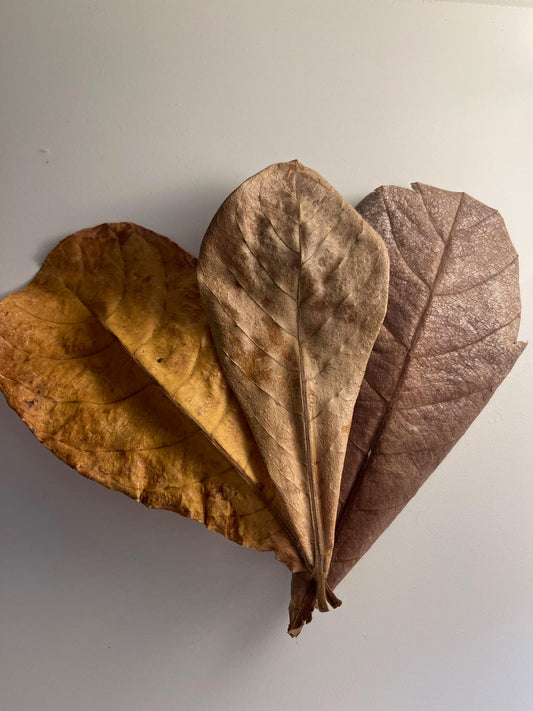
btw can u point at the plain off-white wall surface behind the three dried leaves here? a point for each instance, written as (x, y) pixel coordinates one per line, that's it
(153, 112)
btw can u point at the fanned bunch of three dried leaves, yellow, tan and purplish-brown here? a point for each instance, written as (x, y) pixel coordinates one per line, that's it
(228, 398)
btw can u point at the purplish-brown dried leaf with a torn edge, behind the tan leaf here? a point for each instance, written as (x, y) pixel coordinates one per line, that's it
(448, 341)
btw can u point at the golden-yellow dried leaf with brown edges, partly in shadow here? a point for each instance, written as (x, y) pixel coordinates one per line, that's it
(107, 358)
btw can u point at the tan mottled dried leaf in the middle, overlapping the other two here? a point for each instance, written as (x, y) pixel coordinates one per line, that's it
(294, 284)
